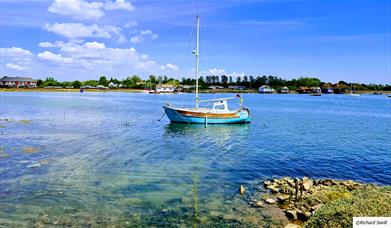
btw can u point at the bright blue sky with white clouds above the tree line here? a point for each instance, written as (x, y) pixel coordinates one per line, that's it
(332, 40)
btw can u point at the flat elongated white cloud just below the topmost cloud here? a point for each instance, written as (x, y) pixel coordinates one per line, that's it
(77, 30)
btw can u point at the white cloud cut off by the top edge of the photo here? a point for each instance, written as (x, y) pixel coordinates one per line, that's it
(80, 9)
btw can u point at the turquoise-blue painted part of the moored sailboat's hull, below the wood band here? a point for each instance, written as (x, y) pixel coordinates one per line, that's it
(174, 116)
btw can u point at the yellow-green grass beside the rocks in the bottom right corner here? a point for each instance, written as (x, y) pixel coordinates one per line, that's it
(343, 206)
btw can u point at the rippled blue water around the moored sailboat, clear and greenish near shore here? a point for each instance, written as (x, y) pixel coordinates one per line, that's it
(105, 159)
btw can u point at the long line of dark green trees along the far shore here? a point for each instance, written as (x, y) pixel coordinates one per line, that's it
(249, 82)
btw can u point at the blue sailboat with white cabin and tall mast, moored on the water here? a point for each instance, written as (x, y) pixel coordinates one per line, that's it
(219, 113)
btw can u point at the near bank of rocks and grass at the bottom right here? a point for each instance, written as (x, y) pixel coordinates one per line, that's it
(308, 202)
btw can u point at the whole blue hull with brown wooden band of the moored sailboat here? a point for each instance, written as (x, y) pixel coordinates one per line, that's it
(185, 116)
